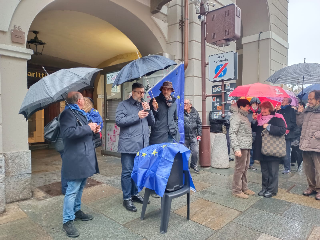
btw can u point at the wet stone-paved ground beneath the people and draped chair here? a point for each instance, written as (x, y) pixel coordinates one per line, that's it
(215, 213)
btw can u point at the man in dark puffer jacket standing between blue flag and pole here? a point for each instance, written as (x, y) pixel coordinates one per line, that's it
(192, 132)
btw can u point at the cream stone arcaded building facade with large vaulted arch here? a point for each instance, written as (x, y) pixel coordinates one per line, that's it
(106, 34)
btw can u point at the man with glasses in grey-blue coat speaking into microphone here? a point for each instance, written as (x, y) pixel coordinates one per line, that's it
(133, 117)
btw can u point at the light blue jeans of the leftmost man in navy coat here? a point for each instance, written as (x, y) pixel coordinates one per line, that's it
(72, 199)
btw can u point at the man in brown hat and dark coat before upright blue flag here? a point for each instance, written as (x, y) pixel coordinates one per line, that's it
(164, 108)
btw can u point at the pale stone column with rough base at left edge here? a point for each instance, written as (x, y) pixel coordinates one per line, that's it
(15, 158)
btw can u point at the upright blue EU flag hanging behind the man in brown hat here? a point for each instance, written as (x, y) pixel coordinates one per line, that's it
(176, 76)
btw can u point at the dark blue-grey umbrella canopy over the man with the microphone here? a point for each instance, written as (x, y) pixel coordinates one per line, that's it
(141, 67)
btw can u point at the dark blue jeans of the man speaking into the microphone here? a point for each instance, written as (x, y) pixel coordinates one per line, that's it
(129, 187)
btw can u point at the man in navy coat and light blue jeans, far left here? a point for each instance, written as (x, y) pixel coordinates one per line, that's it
(79, 159)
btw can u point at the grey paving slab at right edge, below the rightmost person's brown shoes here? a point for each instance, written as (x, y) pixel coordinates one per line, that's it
(303, 213)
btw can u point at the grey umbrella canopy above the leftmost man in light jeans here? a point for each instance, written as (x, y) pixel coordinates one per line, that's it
(55, 87)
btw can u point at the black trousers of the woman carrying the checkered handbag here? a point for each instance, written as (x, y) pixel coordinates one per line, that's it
(270, 177)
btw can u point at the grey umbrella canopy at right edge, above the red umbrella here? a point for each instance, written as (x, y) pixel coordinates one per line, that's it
(302, 73)
